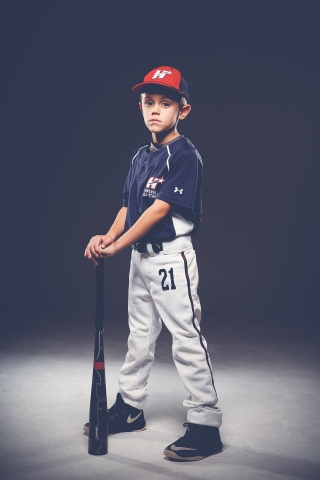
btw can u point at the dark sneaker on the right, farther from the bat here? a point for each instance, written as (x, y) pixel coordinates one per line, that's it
(198, 442)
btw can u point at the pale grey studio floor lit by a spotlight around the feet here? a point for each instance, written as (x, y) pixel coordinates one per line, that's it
(266, 377)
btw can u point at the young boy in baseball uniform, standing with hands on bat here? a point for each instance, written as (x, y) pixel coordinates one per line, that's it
(161, 209)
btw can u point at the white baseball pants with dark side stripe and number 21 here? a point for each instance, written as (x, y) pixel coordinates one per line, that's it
(163, 288)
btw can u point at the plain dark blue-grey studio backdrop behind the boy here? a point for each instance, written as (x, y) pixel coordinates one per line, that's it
(71, 122)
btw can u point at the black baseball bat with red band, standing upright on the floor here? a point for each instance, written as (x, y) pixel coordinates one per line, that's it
(98, 418)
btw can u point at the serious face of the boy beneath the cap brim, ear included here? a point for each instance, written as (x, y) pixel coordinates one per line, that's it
(160, 112)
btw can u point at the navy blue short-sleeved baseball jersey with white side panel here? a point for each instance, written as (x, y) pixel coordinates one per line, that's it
(173, 174)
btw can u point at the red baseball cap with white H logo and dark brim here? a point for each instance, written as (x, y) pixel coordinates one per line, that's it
(167, 77)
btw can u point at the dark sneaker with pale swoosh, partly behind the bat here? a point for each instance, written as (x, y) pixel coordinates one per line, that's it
(122, 418)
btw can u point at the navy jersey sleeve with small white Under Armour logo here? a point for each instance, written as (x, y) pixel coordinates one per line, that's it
(180, 186)
